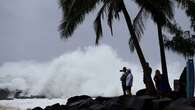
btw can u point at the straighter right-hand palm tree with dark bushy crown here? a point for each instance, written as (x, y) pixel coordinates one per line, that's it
(161, 13)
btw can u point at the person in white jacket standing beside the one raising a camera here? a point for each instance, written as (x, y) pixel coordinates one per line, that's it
(129, 82)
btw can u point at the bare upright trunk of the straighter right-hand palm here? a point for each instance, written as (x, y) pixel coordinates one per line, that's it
(163, 60)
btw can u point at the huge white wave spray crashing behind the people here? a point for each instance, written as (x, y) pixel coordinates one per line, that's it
(93, 71)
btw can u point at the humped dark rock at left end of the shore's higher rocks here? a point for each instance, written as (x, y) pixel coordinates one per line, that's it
(77, 98)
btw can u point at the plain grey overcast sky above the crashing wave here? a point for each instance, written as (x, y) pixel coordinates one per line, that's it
(29, 31)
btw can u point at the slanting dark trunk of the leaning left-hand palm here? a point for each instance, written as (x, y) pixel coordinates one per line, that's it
(147, 70)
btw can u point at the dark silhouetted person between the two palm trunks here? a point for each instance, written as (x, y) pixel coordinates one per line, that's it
(157, 79)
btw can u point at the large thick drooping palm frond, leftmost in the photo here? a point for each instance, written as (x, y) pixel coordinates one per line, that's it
(74, 12)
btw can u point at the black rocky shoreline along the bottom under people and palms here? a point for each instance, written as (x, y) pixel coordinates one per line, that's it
(145, 102)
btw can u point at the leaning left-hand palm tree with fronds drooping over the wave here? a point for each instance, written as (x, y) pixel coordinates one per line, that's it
(74, 12)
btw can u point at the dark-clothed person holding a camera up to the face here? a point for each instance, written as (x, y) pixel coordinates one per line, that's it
(123, 79)
